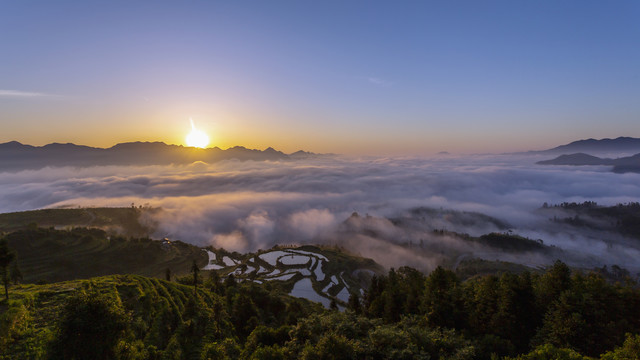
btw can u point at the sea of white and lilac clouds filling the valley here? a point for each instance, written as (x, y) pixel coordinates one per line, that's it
(245, 206)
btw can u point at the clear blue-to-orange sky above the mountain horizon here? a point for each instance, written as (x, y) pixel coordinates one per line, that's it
(351, 77)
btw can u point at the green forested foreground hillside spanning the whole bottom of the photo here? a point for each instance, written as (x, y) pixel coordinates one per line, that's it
(403, 315)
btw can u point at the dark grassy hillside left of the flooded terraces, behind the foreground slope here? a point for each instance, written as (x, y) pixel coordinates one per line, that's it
(57, 255)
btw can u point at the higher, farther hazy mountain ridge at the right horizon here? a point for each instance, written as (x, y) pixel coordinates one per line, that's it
(620, 145)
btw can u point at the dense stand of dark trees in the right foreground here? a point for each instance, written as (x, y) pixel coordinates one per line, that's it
(511, 314)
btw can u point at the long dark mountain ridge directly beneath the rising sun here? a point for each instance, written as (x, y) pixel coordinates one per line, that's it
(16, 156)
